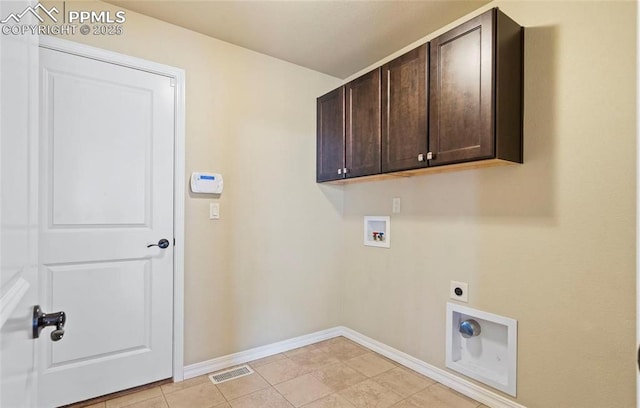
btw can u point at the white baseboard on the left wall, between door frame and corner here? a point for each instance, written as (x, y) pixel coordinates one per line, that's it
(242, 357)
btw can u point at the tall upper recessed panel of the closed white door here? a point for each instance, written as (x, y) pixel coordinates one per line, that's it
(78, 196)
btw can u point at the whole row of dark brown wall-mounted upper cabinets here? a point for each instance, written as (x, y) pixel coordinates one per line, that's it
(456, 101)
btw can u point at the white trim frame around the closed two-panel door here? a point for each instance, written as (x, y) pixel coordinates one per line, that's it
(178, 75)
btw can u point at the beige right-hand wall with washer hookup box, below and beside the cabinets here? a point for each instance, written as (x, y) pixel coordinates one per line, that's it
(550, 243)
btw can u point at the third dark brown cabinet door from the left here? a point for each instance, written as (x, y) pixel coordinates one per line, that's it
(404, 111)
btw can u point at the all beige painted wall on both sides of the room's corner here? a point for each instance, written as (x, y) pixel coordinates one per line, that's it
(550, 243)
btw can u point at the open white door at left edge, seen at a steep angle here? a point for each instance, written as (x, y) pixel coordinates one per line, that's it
(18, 212)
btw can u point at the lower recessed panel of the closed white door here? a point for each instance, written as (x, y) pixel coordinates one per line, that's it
(103, 282)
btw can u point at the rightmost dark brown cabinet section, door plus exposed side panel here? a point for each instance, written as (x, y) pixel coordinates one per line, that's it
(476, 81)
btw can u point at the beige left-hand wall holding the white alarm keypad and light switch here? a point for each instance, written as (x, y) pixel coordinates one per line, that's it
(264, 272)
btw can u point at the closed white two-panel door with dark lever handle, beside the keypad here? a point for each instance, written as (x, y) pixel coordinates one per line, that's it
(106, 193)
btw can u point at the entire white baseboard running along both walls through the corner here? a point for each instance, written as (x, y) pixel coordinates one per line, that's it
(465, 387)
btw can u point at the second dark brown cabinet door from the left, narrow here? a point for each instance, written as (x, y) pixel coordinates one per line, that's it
(363, 125)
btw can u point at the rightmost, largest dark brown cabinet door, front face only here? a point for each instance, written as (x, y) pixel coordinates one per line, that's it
(461, 93)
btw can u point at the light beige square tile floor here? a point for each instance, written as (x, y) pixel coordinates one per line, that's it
(336, 373)
